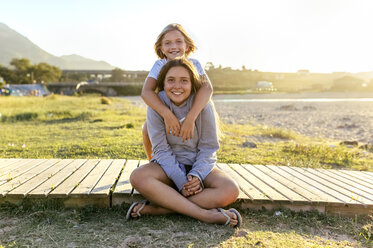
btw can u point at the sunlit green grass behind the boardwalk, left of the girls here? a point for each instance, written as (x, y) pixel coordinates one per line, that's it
(70, 127)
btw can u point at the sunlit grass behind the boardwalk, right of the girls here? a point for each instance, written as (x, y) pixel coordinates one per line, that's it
(283, 147)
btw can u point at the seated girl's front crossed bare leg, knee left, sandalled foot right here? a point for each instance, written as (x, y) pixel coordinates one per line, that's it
(151, 181)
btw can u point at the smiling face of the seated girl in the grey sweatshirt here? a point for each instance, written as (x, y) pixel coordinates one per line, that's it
(178, 85)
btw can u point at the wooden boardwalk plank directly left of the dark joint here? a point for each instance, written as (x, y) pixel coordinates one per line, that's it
(108, 180)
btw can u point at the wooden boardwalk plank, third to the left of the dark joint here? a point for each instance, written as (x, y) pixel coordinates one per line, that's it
(68, 185)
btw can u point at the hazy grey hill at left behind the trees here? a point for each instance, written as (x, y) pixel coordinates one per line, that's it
(15, 45)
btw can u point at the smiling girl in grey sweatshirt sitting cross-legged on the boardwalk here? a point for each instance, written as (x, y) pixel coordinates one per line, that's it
(182, 176)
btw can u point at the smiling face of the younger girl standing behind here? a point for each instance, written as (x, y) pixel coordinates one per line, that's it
(173, 45)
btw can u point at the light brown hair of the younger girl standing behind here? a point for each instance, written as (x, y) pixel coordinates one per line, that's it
(168, 28)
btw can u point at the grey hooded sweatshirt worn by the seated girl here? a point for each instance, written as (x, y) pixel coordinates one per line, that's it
(172, 154)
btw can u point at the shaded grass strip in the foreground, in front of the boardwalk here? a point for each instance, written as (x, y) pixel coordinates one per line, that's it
(53, 226)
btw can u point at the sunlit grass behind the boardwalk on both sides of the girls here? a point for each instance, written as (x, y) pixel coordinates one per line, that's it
(95, 127)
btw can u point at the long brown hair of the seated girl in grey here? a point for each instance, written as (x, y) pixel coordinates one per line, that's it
(194, 76)
